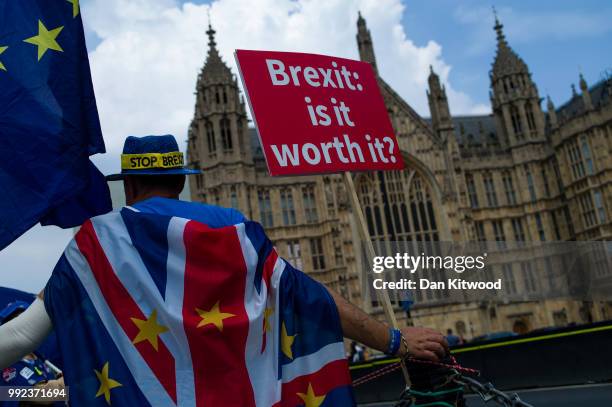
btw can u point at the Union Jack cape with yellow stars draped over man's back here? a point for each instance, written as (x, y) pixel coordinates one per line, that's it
(164, 311)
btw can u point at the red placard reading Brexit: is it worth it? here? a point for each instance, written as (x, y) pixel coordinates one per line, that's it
(317, 114)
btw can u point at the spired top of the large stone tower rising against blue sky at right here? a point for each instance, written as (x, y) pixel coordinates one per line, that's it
(514, 96)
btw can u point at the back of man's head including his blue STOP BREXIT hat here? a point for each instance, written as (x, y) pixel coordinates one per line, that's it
(151, 166)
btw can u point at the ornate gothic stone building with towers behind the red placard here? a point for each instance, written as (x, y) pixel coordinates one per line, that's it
(519, 174)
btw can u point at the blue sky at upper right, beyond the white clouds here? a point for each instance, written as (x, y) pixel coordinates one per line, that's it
(555, 38)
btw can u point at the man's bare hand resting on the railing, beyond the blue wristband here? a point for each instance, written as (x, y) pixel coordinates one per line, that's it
(424, 343)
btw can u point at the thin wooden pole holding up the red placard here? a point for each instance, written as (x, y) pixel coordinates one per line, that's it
(383, 295)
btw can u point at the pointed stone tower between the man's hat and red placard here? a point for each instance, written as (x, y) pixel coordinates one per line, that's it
(218, 136)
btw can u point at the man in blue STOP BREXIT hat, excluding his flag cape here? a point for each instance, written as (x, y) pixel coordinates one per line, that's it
(153, 177)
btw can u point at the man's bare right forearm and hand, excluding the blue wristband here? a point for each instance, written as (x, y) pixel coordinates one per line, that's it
(423, 343)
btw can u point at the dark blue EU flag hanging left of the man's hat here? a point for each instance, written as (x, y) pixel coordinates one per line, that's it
(49, 123)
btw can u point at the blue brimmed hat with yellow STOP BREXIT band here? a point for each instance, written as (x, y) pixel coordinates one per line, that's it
(151, 155)
